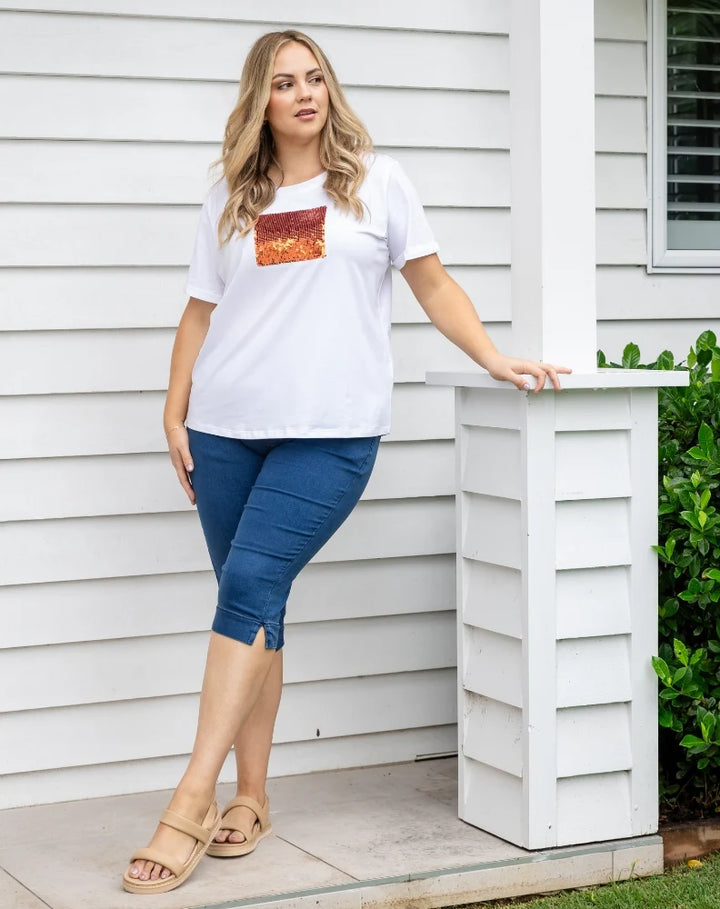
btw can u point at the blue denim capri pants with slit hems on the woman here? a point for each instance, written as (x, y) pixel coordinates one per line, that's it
(266, 506)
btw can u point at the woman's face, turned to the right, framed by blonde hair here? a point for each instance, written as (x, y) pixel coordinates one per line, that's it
(298, 105)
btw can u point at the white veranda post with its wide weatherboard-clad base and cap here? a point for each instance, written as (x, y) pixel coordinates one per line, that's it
(557, 501)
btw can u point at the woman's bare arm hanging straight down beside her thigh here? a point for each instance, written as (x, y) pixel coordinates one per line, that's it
(188, 341)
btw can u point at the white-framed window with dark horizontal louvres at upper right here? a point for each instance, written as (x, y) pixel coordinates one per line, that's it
(686, 134)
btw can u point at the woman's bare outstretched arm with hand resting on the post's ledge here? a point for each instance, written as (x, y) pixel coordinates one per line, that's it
(449, 308)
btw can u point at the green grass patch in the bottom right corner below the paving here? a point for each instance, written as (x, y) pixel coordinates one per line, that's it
(680, 888)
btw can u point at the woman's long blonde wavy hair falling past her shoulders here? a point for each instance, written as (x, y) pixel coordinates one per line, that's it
(248, 148)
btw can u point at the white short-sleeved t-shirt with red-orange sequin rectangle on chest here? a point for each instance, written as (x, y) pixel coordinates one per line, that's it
(299, 342)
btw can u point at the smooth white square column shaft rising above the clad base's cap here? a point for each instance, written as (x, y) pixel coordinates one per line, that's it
(552, 155)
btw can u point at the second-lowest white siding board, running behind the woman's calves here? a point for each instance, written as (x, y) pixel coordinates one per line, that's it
(97, 733)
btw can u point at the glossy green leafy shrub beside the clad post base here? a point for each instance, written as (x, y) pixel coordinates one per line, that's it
(688, 661)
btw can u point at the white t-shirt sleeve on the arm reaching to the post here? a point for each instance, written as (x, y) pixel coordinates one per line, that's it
(409, 234)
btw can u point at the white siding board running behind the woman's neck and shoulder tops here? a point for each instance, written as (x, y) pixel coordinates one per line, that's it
(136, 173)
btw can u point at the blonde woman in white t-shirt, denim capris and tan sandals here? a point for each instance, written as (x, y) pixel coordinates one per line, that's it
(279, 392)
